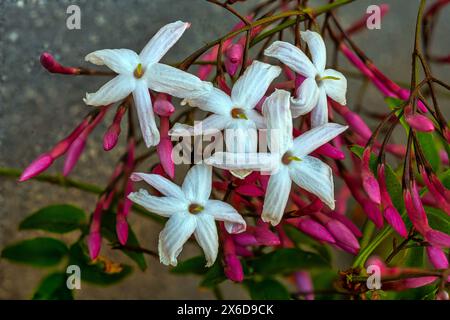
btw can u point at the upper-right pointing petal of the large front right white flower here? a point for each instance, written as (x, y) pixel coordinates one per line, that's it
(314, 138)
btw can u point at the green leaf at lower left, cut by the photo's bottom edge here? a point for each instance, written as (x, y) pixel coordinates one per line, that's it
(53, 287)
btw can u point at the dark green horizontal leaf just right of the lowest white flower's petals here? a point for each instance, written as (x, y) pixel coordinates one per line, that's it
(286, 261)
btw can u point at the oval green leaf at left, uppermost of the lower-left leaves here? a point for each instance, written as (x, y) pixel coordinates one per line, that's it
(56, 218)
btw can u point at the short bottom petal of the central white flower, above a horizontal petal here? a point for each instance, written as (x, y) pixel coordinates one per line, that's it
(241, 136)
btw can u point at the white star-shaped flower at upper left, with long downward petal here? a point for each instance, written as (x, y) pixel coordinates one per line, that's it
(136, 73)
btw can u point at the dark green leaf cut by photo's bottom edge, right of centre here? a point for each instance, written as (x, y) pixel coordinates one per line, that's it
(267, 289)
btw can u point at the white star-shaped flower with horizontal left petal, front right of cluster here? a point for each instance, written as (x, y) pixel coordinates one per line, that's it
(289, 159)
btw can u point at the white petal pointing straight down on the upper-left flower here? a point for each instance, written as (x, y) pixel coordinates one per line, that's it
(144, 108)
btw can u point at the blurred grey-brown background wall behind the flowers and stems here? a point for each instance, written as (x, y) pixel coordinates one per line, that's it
(37, 108)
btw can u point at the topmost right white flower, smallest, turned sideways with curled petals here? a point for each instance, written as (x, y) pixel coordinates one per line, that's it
(319, 83)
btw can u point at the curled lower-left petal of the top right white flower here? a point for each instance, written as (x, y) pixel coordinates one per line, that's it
(307, 98)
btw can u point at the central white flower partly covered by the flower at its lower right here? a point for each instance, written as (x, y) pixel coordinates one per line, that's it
(235, 112)
